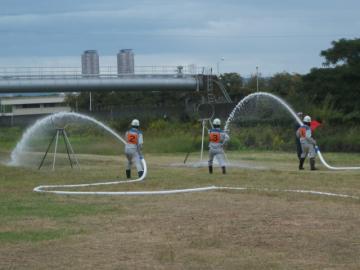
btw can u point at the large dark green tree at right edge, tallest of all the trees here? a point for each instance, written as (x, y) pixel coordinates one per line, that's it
(339, 80)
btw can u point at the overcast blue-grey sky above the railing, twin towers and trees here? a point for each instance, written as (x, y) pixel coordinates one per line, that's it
(277, 36)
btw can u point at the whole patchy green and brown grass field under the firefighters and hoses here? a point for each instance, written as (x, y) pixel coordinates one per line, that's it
(250, 229)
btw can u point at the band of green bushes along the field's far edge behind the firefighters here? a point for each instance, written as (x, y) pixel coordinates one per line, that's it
(164, 136)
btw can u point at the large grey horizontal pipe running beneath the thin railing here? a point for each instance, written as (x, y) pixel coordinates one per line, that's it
(76, 83)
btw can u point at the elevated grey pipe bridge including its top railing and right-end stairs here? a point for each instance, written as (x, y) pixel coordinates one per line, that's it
(37, 80)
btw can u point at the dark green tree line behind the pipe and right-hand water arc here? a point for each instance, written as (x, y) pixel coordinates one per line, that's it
(331, 93)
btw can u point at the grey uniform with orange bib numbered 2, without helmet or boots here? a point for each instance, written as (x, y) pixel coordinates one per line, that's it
(134, 141)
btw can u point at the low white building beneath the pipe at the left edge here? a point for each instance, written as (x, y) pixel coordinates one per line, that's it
(25, 109)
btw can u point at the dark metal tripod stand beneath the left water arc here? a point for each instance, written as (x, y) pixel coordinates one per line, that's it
(70, 152)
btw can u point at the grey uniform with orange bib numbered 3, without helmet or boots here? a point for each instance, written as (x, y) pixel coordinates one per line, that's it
(217, 139)
